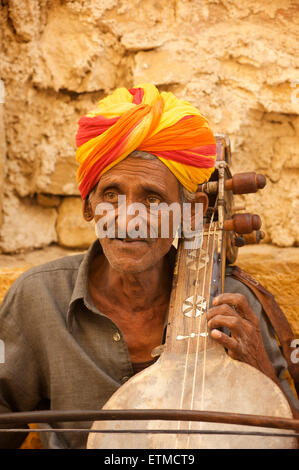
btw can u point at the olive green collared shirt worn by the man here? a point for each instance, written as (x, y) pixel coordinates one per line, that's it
(61, 353)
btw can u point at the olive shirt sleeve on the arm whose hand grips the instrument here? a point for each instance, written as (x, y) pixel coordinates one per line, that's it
(268, 335)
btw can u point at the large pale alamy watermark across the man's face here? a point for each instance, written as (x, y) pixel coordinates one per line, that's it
(138, 221)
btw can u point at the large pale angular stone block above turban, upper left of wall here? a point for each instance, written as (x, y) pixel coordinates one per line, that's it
(75, 55)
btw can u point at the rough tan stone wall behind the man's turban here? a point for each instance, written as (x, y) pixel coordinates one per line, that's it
(236, 61)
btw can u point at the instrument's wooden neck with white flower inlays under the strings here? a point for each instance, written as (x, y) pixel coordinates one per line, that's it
(187, 330)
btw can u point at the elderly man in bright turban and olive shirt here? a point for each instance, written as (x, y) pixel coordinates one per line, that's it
(77, 328)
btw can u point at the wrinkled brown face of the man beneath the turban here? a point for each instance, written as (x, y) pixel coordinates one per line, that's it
(140, 181)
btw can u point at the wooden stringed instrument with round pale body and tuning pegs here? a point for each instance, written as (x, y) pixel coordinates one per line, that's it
(193, 372)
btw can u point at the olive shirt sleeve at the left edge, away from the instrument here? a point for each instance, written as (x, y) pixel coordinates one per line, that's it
(20, 384)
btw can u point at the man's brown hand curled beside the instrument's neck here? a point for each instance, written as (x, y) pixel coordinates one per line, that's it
(245, 343)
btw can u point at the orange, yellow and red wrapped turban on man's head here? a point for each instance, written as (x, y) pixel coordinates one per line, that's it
(143, 119)
